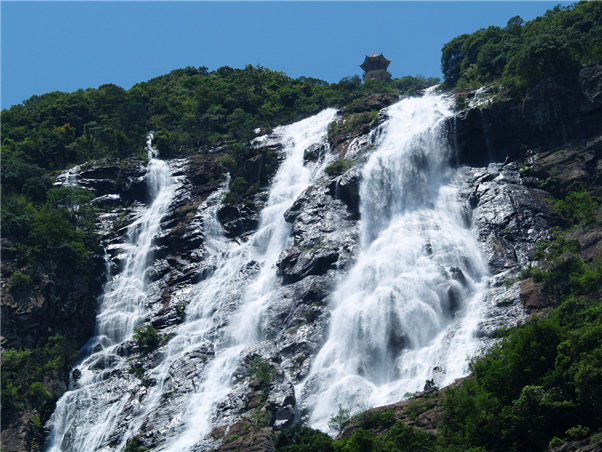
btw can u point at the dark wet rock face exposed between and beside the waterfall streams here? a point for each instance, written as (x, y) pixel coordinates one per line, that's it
(513, 156)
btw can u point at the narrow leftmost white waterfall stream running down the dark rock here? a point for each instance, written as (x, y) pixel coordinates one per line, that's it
(86, 415)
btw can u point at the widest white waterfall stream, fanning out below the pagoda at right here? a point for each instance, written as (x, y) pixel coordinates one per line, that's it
(407, 311)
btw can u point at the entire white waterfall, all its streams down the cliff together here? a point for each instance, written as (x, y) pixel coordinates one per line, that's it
(405, 312)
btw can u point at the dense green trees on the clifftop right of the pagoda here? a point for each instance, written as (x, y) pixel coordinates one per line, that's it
(520, 54)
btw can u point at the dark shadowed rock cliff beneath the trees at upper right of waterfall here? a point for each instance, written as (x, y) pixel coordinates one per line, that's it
(557, 110)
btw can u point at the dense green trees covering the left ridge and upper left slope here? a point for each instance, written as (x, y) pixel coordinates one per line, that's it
(188, 109)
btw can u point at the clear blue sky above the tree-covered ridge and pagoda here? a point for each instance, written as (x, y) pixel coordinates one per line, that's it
(63, 46)
